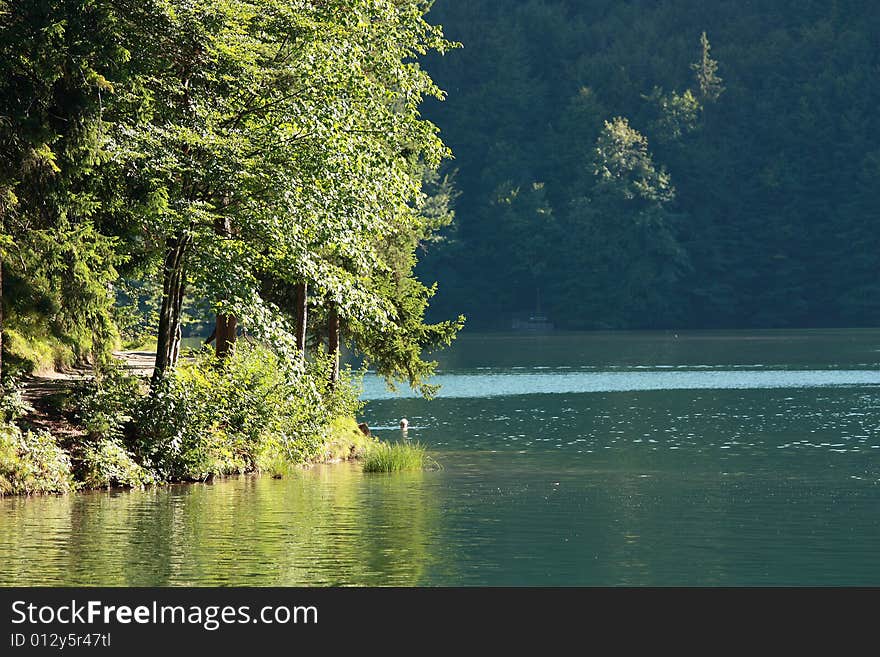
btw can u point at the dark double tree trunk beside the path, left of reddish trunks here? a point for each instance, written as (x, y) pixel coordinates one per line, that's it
(173, 284)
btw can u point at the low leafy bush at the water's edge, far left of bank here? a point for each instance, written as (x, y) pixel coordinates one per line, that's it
(32, 462)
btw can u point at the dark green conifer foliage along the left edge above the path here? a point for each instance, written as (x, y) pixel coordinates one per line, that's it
(53, 59)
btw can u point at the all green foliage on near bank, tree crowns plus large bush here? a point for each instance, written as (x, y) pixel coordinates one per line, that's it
(165, 157)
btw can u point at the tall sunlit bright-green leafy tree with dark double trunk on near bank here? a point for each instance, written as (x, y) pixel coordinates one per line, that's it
(296, 125)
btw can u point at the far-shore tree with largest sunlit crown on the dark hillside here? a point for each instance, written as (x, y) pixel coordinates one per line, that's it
(621, 236)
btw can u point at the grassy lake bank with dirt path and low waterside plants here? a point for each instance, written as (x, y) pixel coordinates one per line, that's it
(59, 437)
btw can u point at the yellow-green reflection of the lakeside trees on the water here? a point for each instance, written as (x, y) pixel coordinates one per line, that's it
(323, 526)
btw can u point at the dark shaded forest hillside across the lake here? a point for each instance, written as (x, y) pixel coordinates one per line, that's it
(625, 172)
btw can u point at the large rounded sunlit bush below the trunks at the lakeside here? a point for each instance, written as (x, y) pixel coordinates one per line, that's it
(246, 412)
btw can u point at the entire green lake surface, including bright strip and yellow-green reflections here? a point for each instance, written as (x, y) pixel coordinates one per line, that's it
(583, 459)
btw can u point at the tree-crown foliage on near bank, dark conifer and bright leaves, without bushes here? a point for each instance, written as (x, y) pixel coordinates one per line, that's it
(131, 129)
